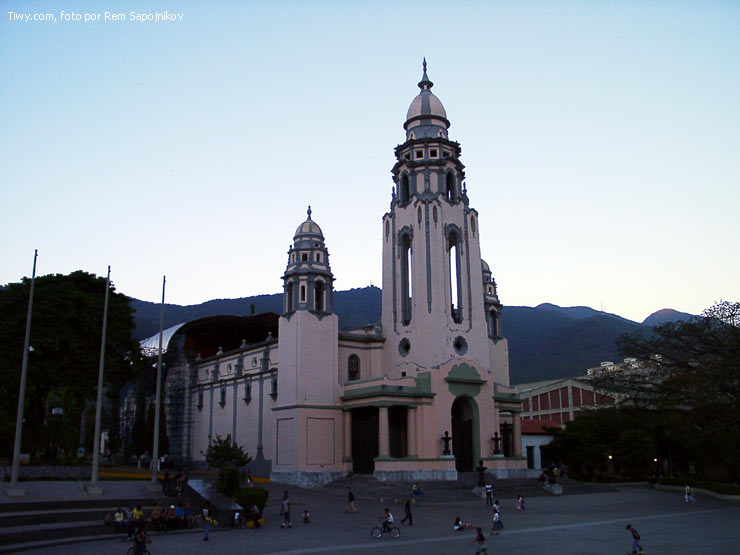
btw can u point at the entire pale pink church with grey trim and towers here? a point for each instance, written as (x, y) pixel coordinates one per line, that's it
(423, 394)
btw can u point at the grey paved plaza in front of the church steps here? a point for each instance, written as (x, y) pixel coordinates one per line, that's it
(578, 524)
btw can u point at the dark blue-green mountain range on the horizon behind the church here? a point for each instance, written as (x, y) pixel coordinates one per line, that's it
(545, 342)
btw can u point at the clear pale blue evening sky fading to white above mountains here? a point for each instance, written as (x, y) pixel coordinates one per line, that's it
(601, 142)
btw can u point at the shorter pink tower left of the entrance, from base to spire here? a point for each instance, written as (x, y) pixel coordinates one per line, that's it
(307, 422)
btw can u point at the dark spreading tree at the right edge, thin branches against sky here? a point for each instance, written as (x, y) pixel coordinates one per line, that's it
(688, 374)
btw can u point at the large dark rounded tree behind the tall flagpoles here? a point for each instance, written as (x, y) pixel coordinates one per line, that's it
(65, 336)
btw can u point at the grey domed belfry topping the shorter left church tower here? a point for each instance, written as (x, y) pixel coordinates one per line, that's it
(308, 281)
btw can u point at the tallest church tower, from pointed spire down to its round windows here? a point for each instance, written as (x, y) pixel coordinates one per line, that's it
(433, 294)
